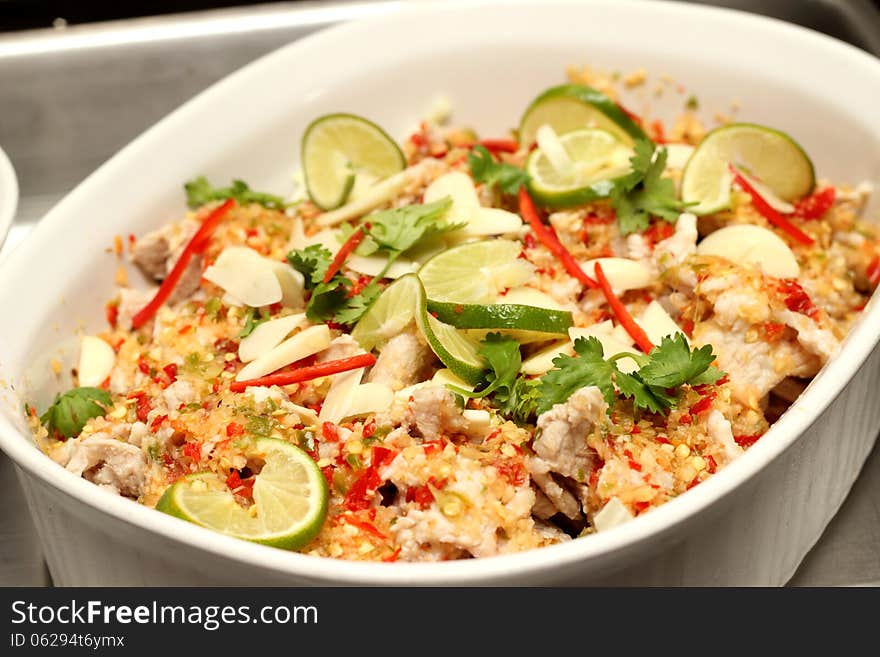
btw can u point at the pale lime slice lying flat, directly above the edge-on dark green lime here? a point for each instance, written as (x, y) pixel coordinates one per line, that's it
(475, 272)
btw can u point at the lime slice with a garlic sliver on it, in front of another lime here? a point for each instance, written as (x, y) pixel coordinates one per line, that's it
(596, 159)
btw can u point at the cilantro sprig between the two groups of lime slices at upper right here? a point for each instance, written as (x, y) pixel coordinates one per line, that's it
(644, 192)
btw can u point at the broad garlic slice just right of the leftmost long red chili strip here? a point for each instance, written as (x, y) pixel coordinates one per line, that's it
(243, 273)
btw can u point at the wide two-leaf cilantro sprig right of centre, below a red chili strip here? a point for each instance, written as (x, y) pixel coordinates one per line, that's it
(653, 387)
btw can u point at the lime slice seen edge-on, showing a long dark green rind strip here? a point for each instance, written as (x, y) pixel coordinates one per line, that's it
(502, 316)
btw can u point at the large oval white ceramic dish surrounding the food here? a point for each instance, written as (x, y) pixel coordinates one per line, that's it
(750, 524)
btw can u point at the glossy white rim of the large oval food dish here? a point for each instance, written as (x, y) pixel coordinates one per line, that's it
(783, 434)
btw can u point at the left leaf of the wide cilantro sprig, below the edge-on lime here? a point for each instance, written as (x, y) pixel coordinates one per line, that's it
(587, 368)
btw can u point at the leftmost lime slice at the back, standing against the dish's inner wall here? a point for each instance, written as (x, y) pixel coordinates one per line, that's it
(337, 149)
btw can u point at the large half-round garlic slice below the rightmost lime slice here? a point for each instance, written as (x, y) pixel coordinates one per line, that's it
(745, 244)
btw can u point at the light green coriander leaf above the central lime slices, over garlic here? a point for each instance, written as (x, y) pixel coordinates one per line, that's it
(399, 229)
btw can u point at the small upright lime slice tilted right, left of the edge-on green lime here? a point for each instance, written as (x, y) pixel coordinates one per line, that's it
(389, 314)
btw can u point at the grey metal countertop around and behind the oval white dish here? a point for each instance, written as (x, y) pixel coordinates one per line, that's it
(69, 99)
